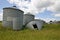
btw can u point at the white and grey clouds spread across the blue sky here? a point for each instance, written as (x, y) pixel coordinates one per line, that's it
(36, 6)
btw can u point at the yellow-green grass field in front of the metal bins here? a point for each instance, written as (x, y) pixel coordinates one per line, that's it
(49, 32)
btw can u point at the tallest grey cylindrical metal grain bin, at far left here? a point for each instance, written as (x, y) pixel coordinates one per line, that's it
(13, 17)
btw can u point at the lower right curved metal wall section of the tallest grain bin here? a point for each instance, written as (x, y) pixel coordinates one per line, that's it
(17, 23)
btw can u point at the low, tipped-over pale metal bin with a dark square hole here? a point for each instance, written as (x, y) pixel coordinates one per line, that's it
(36, 24)
